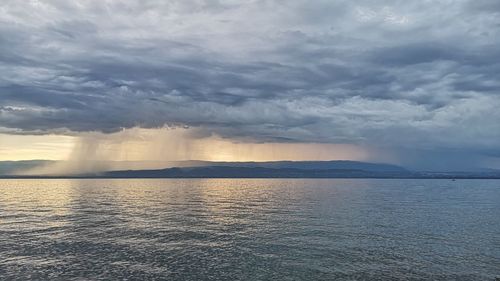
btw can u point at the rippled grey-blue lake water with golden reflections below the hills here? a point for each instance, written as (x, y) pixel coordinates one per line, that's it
(249, 229)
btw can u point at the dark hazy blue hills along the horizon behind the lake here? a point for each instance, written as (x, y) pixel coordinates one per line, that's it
(276, 169)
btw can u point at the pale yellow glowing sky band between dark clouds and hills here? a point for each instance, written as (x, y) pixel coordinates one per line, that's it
(139, 144)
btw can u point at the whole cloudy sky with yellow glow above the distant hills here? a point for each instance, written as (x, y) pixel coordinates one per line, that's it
(414, 83)
